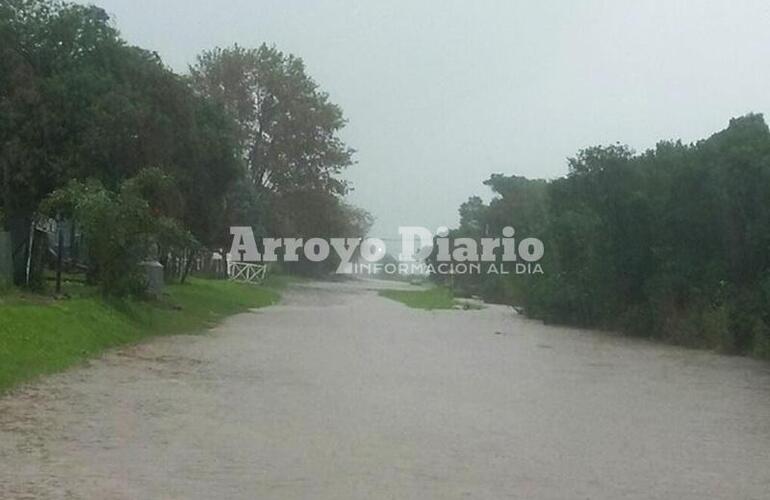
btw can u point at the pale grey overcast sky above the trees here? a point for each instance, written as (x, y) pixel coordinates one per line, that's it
(441, 94)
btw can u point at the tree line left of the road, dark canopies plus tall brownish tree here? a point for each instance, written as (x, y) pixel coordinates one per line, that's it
(247, 138)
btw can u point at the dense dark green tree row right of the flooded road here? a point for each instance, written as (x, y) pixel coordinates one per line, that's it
(673, 243)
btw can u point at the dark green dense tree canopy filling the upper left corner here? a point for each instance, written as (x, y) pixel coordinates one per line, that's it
(76, 102)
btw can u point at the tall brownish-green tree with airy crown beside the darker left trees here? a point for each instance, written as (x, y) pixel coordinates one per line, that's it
(288, 135)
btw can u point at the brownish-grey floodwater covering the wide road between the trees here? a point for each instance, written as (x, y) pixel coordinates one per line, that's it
(341, 394)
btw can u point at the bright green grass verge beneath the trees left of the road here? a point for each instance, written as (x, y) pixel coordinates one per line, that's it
(39, 336)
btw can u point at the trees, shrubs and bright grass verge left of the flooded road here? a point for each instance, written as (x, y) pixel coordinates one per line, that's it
(110, 160)
